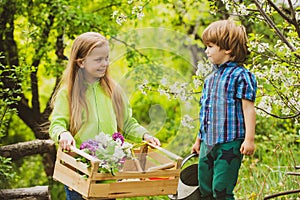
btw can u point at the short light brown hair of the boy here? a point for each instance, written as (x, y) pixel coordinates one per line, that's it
(229, 36)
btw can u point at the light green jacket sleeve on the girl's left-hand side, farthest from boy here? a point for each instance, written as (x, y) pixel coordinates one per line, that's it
(60, 116)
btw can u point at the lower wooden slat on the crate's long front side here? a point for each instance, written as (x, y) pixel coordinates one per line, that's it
(134, 188)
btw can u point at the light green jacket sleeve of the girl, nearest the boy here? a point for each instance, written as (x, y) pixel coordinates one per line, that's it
(132, 129)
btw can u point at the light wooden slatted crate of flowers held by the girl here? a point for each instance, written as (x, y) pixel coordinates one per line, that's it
(90, 187)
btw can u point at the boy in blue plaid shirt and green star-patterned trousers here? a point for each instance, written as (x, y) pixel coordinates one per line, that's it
(227, 115)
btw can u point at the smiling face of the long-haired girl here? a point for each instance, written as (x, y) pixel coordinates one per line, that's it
(96, 63)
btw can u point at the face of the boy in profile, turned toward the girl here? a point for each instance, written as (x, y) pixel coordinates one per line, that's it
(216, 55)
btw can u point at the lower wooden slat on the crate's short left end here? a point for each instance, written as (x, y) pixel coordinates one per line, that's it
(71, 178)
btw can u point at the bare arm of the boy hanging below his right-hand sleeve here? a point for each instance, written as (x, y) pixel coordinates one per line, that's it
(248, 146)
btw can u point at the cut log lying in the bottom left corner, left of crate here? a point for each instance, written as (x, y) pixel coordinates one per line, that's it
(33, 193)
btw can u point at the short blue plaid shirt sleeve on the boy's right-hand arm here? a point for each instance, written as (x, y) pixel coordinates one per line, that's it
(247, 86)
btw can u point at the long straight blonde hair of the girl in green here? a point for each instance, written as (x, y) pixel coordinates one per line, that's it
(73, 79)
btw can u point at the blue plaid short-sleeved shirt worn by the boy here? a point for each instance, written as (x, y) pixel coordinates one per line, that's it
(221, 114)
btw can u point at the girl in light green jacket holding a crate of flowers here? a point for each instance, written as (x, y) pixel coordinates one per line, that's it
(88, 101)
